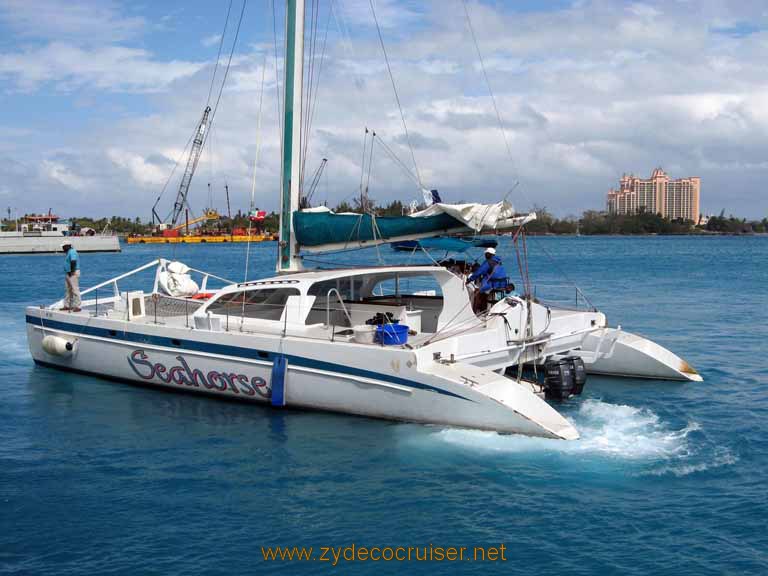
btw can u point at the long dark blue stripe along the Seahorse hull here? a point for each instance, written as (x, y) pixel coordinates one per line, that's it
(120, 336)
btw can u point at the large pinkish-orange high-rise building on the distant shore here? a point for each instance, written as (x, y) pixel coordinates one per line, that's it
(659, 194)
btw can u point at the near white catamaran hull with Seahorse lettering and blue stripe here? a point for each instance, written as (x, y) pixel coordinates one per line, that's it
(319, 375)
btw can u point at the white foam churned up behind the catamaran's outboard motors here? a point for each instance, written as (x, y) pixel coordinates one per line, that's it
(606, 429)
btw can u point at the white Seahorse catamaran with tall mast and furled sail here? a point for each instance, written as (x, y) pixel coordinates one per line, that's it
(394, 342)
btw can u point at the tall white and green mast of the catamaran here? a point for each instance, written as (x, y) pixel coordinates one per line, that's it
(287, 260)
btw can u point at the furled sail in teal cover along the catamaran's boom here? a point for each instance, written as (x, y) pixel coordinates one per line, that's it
(320, 229)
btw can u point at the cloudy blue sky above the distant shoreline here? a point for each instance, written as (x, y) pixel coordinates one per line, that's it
(99, 98)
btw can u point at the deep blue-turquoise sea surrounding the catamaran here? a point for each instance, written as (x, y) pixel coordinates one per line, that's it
(98, 477)
